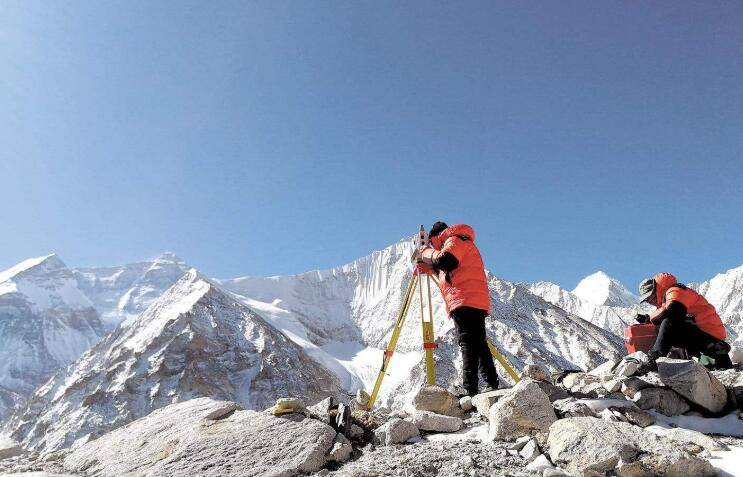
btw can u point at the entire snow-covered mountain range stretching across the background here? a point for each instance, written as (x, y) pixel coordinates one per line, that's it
(163, 333)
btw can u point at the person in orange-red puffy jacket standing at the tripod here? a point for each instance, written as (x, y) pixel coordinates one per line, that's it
(461, 273)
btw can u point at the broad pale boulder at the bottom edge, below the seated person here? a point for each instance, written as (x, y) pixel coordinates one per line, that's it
(591, 446)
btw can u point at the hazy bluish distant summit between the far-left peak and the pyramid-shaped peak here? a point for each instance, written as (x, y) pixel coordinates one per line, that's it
(123, 292)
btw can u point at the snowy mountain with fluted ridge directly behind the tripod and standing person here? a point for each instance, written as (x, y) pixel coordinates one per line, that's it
(343, 318)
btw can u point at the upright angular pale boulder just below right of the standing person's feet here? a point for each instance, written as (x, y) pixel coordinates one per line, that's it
(524, 410)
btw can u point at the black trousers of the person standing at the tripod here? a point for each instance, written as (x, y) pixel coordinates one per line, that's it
(470, 326)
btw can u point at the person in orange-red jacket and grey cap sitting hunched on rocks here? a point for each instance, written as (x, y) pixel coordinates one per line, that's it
(685, 320)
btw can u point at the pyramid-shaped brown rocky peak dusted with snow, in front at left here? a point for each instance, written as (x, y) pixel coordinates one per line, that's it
(195, 340)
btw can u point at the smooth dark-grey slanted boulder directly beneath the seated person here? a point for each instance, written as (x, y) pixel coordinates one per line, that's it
(692, 380)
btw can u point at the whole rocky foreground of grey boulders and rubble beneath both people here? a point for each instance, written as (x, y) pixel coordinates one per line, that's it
(614, 420)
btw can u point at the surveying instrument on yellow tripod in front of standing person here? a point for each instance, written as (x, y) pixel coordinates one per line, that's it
(417, 283)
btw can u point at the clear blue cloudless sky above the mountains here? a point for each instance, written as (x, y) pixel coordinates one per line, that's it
(261, 138)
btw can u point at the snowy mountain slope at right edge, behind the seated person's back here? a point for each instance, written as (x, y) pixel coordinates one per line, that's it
(725, 292)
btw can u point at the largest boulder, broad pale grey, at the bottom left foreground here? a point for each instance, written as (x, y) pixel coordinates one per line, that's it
(178, 441)
